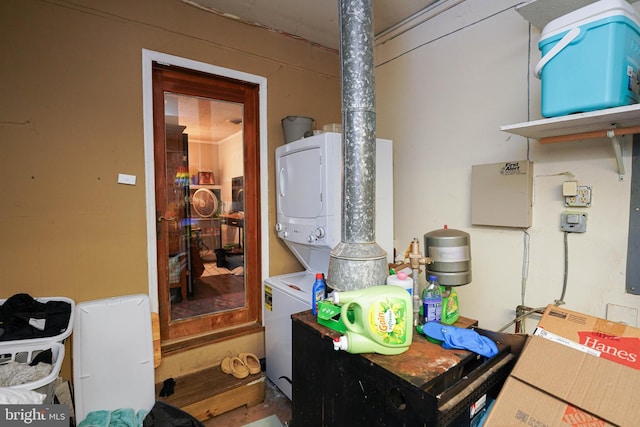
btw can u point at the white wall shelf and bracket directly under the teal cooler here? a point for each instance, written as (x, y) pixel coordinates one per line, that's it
(610, 123)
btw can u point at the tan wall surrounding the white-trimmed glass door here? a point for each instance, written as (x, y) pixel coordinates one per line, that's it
(71, 120)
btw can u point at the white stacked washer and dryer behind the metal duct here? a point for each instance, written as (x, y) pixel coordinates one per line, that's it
(309, 218)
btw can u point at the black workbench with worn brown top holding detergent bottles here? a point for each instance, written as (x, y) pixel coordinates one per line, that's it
(426, 385)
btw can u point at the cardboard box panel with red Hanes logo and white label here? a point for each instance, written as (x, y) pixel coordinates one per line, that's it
(610, 340)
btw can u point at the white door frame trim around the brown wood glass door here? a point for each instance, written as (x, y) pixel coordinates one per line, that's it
(260, 156)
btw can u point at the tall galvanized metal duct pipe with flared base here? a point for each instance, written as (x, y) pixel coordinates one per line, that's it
(357, 261)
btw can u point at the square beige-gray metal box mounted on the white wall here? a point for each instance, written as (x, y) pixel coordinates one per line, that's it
(501, 194)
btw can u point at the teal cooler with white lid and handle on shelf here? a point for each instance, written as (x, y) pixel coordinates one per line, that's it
(590, 59)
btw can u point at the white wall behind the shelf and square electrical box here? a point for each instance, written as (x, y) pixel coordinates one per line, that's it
(444, 88)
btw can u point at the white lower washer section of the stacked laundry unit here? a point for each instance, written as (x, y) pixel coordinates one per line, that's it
(283, 296)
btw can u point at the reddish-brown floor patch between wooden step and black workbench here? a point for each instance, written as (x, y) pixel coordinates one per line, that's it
(274, 403)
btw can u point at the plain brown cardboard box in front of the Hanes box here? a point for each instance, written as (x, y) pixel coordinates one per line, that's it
(555, 385)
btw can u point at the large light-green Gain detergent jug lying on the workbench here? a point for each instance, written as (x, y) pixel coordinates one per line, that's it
(380, 319)
